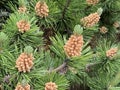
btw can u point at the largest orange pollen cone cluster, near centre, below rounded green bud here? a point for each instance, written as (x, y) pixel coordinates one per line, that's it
(74, 45)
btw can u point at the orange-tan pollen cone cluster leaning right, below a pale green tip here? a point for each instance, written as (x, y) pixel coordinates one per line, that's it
(90, 20)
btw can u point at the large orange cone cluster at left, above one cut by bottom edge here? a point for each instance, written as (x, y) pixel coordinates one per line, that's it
(24, 62)
